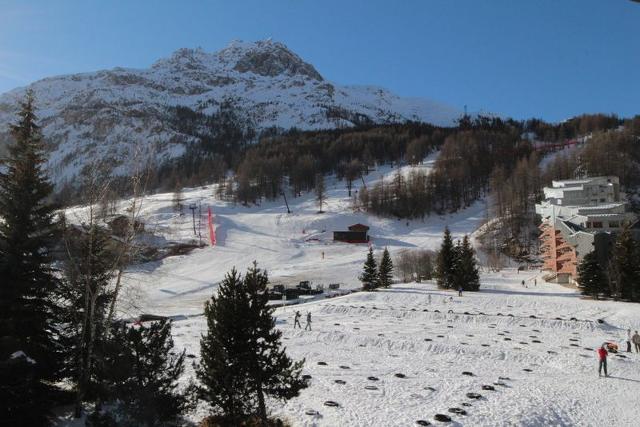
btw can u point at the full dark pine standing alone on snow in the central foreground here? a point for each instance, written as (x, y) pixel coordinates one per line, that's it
(241, 355)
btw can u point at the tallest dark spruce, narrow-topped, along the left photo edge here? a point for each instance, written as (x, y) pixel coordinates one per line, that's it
(28, 232)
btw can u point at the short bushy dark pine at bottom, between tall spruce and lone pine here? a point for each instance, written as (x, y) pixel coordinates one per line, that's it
(140, 374)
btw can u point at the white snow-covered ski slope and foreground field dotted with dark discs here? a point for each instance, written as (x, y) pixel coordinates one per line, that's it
(508, 331)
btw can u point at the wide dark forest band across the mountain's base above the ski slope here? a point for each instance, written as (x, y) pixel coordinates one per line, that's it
(265, 164)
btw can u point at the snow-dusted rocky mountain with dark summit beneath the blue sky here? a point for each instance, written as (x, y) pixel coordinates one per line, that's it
(122, 116)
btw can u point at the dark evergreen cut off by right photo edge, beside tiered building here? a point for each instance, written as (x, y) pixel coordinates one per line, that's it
(626, 260)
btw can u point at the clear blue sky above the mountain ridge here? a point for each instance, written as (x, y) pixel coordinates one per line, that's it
(538, 58)
